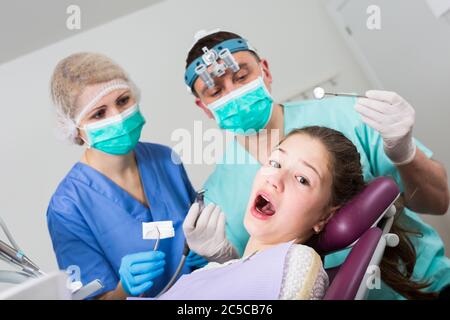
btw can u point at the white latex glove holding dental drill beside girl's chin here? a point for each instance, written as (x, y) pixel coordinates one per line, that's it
(207, 236)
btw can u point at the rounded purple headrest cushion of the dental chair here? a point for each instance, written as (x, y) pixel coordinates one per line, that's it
(358, 215)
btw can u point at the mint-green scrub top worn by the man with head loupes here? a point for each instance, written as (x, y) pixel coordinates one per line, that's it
(230, 184)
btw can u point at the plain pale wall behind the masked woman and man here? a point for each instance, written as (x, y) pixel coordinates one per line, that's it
(297, 37)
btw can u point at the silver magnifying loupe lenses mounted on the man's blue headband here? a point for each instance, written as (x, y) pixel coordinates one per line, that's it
(210, 58)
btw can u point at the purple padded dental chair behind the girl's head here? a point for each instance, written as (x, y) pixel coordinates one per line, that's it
(362, 224)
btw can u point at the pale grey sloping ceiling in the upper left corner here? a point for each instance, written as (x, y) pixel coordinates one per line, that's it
(27, 25)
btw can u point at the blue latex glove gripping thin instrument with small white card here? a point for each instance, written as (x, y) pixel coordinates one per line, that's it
(139, 269)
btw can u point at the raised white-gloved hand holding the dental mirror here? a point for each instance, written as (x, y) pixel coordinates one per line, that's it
(393, 117)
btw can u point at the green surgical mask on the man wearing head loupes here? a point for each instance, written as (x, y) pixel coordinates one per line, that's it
(246, 110)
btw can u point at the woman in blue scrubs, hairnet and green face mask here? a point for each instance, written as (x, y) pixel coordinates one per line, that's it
(96, 213)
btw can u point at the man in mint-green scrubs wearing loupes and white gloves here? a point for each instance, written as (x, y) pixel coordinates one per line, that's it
(240, 101)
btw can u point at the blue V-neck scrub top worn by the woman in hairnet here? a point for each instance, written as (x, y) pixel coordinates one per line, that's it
(93, 222)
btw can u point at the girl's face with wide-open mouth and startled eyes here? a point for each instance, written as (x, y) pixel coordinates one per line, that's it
(291, 193)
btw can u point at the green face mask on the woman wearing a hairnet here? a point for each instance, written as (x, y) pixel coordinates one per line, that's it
(116, 135)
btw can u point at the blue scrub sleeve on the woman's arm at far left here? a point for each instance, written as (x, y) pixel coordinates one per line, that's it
(75, 246)
